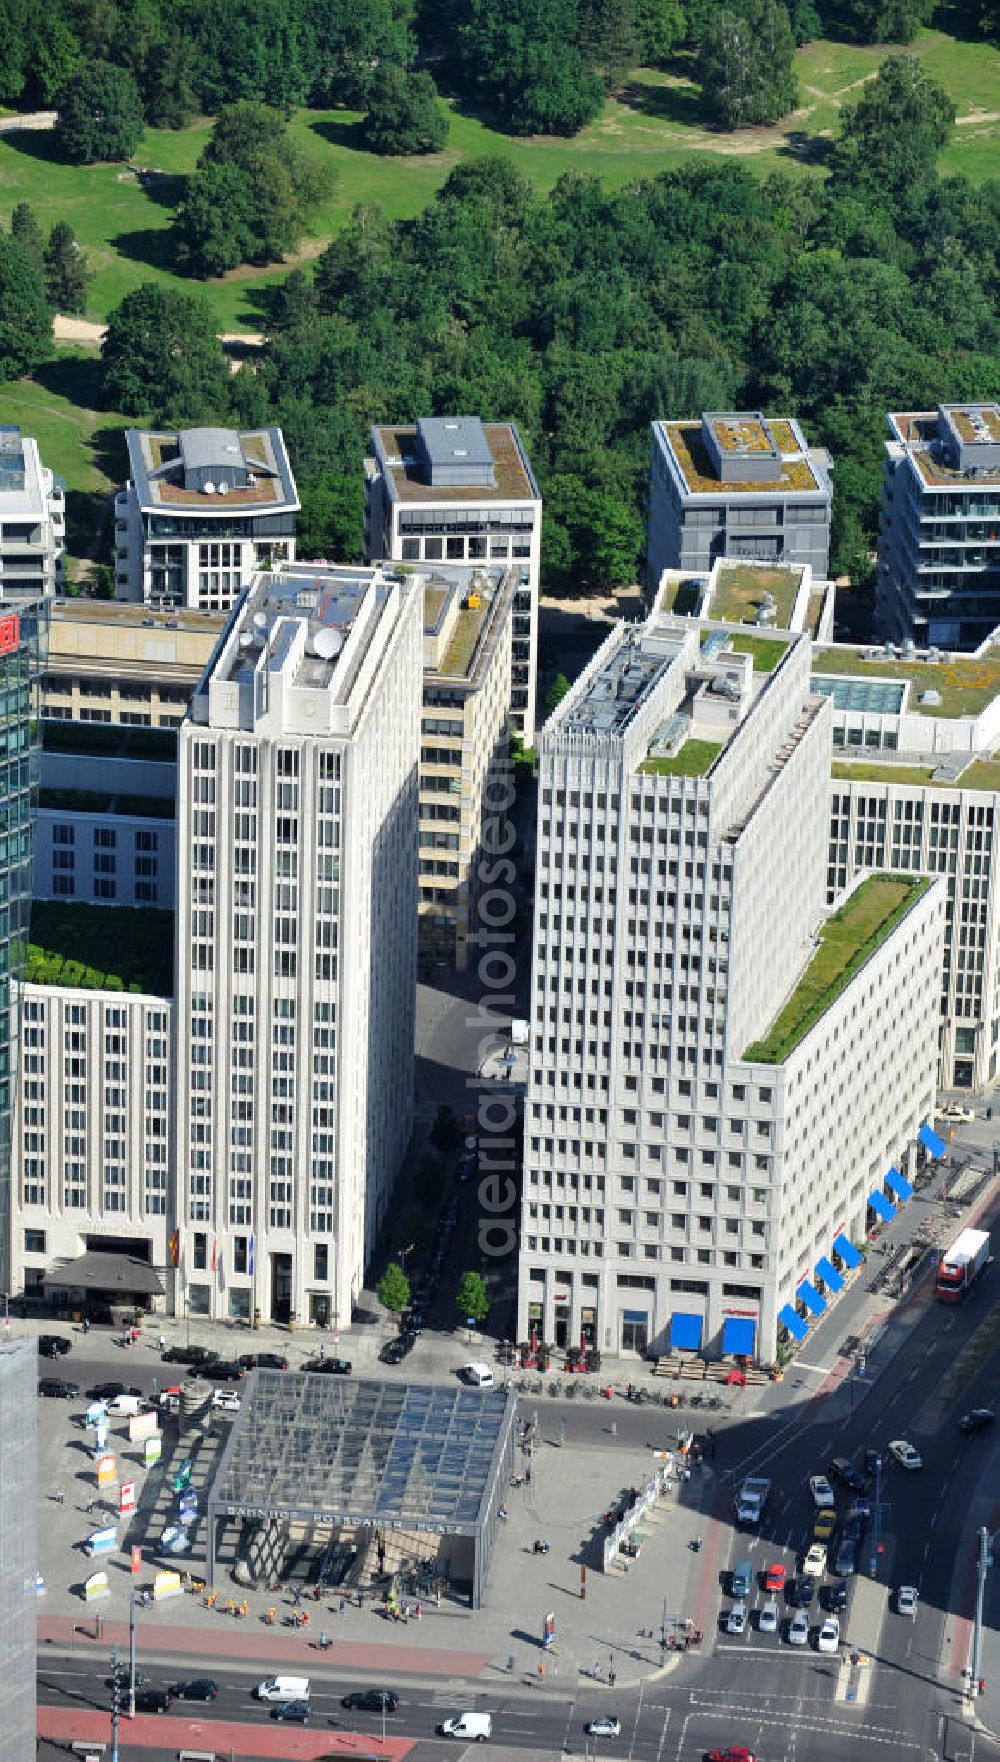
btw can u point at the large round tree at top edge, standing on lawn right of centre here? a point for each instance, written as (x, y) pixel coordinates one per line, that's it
(746, 66)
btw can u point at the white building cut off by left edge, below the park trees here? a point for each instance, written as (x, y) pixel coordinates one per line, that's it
(33, 521)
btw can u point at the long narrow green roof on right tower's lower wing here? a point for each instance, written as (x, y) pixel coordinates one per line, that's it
(846, 942)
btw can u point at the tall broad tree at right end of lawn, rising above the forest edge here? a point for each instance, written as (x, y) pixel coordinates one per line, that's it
(892, 137)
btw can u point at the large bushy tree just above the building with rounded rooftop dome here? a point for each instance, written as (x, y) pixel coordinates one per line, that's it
(161, 355)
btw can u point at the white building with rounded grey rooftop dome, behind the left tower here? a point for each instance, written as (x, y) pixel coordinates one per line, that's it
(203, 510)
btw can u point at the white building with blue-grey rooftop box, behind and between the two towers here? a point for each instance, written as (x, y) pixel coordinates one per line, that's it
(460, 491)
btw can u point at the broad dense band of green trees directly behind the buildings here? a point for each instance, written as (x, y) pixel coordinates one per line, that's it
(587, 315)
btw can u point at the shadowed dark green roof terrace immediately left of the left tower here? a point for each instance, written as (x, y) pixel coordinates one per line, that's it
(101, 949)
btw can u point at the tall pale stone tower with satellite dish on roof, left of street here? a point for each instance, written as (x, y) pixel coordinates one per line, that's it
(297, 944)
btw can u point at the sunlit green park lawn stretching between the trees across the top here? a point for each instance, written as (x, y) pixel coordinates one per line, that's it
(652, 128)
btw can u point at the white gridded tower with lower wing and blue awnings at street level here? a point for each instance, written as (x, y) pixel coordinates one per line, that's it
(680, 1150)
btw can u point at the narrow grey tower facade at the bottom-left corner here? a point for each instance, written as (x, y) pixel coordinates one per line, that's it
(18, 1551)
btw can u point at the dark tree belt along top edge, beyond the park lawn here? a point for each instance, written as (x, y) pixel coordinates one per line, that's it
(533, 66)
